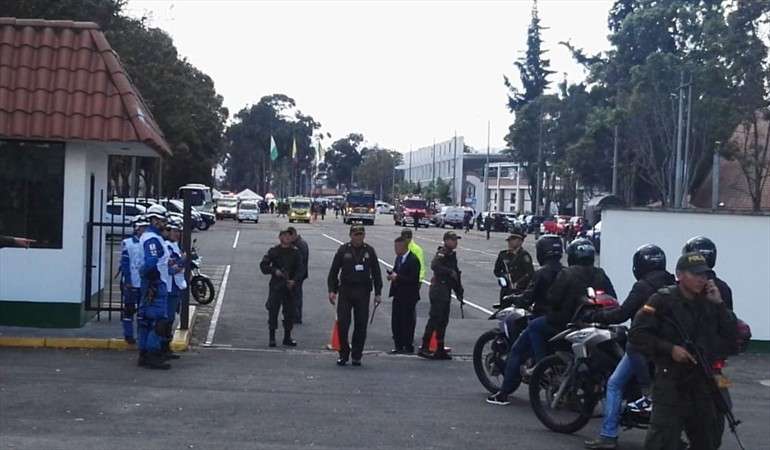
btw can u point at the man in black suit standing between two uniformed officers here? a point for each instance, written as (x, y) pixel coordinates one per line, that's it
(405, 290)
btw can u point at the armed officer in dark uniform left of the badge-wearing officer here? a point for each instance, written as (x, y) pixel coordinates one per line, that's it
(284, 263)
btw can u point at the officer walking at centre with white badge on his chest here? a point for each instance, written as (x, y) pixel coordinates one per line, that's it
(355, 270)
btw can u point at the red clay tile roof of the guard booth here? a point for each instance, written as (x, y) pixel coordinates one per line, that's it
(61, 80)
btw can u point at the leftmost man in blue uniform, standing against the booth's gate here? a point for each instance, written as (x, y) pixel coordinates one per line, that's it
(131, 261)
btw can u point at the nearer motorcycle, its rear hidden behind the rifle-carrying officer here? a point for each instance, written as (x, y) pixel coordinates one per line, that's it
(566, 387)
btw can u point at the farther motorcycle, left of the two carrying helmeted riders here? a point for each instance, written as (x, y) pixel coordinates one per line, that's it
(491, 349)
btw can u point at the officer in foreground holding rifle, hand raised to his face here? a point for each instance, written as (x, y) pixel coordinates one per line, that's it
(692, 309)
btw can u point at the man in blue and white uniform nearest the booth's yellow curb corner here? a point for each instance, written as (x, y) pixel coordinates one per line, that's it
(152, 316)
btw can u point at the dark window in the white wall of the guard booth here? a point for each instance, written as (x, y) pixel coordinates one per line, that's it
(32, 175)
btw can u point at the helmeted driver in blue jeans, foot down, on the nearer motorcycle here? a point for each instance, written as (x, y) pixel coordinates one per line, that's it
(649, 267)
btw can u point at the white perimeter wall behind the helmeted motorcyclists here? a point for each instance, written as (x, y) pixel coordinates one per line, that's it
(743, 252)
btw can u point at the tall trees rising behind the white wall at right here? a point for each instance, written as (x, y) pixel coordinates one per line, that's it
(632, 99)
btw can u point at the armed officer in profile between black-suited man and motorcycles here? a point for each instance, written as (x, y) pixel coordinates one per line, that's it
(446, 278)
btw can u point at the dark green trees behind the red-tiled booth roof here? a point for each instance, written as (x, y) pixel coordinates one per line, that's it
(182, 99)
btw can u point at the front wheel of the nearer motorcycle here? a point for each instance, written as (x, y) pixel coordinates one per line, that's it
(575, 404)
